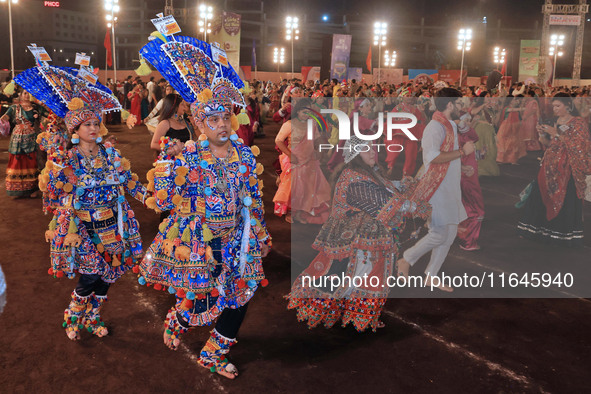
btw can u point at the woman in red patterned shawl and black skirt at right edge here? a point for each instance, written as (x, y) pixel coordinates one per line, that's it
(553, 202)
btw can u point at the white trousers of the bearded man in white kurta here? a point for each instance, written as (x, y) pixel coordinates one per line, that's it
(438, 240)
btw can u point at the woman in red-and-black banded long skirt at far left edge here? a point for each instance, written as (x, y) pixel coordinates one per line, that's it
(22, 169)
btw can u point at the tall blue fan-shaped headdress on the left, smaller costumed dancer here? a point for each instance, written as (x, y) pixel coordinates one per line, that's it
(72, 94)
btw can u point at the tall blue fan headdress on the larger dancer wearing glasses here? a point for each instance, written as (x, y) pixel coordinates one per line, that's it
(198, 71)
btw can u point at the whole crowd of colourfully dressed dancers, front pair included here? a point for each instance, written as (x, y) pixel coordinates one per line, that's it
(210, 244)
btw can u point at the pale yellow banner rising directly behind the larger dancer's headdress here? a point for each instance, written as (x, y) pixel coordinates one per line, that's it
(225, 30)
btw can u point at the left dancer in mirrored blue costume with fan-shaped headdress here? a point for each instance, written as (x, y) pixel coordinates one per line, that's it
(93, 231)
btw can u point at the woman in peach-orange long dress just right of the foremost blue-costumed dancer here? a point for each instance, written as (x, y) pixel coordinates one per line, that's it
(303, 191)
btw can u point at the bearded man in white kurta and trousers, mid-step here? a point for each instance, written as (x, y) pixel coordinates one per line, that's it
(448, 210)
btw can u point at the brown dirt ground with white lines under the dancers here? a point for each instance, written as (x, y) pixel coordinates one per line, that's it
(428, 345)
